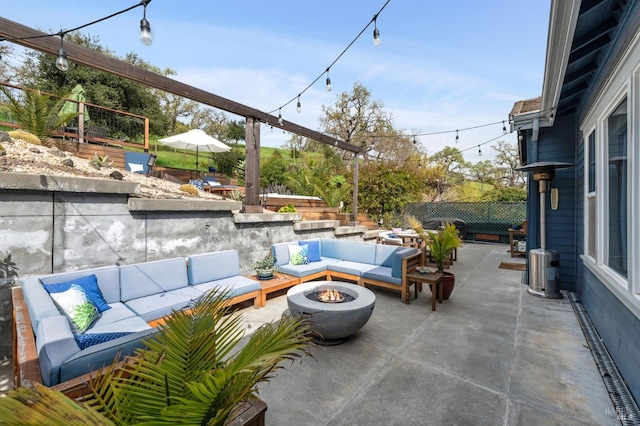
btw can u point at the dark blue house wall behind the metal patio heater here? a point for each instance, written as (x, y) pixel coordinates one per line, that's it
(556, 144)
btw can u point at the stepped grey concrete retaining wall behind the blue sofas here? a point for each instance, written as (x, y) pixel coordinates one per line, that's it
(49, 227)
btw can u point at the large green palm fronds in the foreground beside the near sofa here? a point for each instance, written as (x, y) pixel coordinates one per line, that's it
(191, 372)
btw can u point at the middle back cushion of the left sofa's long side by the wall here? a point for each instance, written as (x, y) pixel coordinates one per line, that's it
(149, 278)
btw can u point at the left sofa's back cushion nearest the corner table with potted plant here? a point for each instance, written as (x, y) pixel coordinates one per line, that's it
(213, 266)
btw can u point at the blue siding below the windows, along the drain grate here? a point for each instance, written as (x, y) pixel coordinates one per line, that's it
(618, 327)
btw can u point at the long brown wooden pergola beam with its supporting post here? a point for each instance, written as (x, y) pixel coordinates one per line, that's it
(19, 34)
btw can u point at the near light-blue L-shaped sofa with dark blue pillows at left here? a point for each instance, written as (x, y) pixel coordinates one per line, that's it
(133, 298)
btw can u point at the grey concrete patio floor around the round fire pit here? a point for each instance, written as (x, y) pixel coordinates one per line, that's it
(491, 355)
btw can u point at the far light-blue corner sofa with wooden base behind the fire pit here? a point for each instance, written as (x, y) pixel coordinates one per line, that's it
(367, 264)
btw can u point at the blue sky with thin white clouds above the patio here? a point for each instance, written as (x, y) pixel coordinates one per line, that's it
(441, 66)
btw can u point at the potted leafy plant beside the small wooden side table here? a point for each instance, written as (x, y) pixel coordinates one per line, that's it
(440, 244)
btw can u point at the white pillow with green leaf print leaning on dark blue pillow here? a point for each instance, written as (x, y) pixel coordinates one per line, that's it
(77, 307)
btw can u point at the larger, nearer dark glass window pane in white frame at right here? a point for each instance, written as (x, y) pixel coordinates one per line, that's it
(617, 188)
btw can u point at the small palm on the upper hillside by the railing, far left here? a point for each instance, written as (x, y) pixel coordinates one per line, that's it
(36, 112)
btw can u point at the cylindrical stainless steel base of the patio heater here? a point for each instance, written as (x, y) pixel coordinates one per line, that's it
(544, 273)
